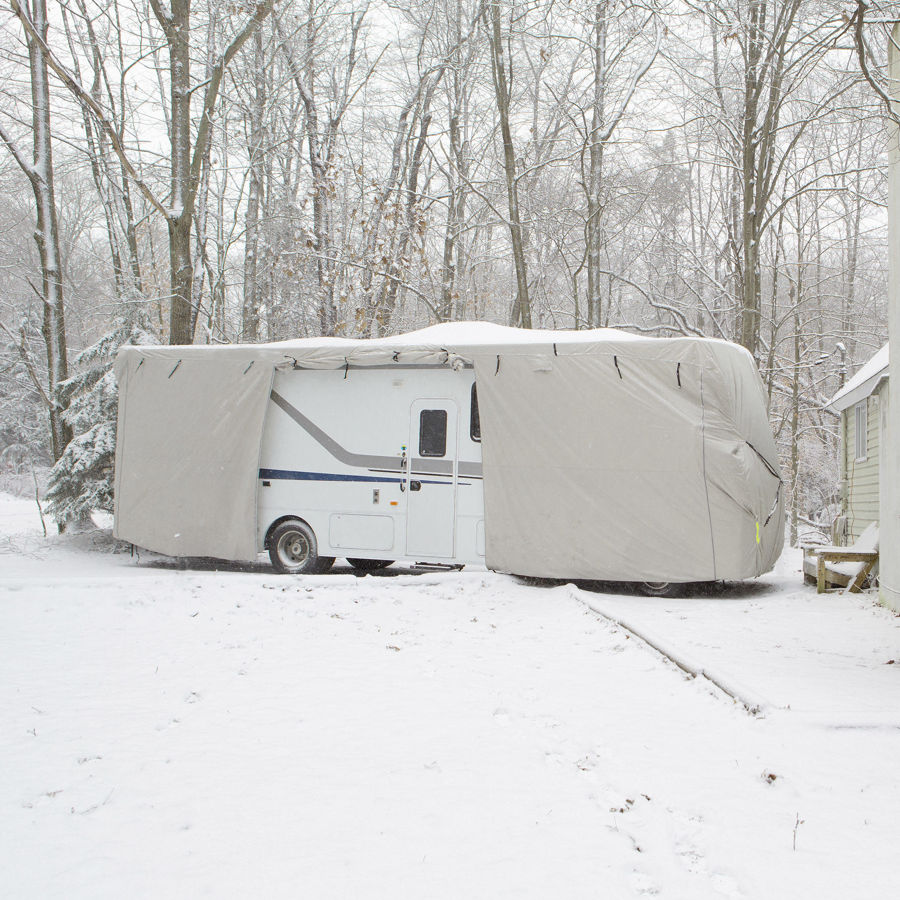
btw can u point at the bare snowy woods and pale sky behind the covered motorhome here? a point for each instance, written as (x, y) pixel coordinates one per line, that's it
(222, 172)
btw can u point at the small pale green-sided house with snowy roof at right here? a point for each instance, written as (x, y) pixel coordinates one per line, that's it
(862, 403)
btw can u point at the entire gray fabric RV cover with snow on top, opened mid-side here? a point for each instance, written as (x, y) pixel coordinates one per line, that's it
(606, 456)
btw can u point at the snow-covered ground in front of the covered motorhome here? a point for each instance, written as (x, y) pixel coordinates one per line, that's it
(183, 733)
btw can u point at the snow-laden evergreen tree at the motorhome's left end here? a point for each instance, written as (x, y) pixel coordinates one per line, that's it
(82, 479)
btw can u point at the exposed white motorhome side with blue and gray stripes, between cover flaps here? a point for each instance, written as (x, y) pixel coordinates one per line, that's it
(381, 463)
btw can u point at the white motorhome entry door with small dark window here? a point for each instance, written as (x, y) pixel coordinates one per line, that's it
(431, 480)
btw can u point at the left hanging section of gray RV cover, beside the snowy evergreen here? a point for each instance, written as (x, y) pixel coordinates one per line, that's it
(187, 449)
